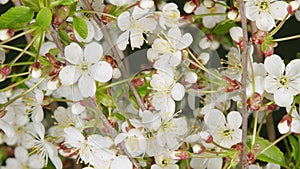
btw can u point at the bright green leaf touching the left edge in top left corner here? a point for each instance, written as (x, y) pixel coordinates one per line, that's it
(16, 17)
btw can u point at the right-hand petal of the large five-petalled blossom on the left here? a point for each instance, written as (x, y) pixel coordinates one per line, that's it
(102, 71)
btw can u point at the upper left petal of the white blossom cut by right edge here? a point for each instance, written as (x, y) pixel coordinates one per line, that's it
(274, 65)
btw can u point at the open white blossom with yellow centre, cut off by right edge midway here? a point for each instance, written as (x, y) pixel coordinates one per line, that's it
(283, 85)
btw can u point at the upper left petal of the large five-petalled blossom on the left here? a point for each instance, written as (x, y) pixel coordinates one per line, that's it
(74, 53)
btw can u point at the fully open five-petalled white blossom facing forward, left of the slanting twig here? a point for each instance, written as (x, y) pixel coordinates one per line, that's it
(85, 67)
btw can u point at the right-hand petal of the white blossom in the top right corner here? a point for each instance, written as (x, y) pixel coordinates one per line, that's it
(279, 9)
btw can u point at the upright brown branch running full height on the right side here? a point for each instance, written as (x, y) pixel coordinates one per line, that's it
(244, 78)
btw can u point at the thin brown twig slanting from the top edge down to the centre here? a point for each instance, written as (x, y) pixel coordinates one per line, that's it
(116, 56)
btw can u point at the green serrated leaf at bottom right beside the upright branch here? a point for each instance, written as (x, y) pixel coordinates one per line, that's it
(273, 154)
